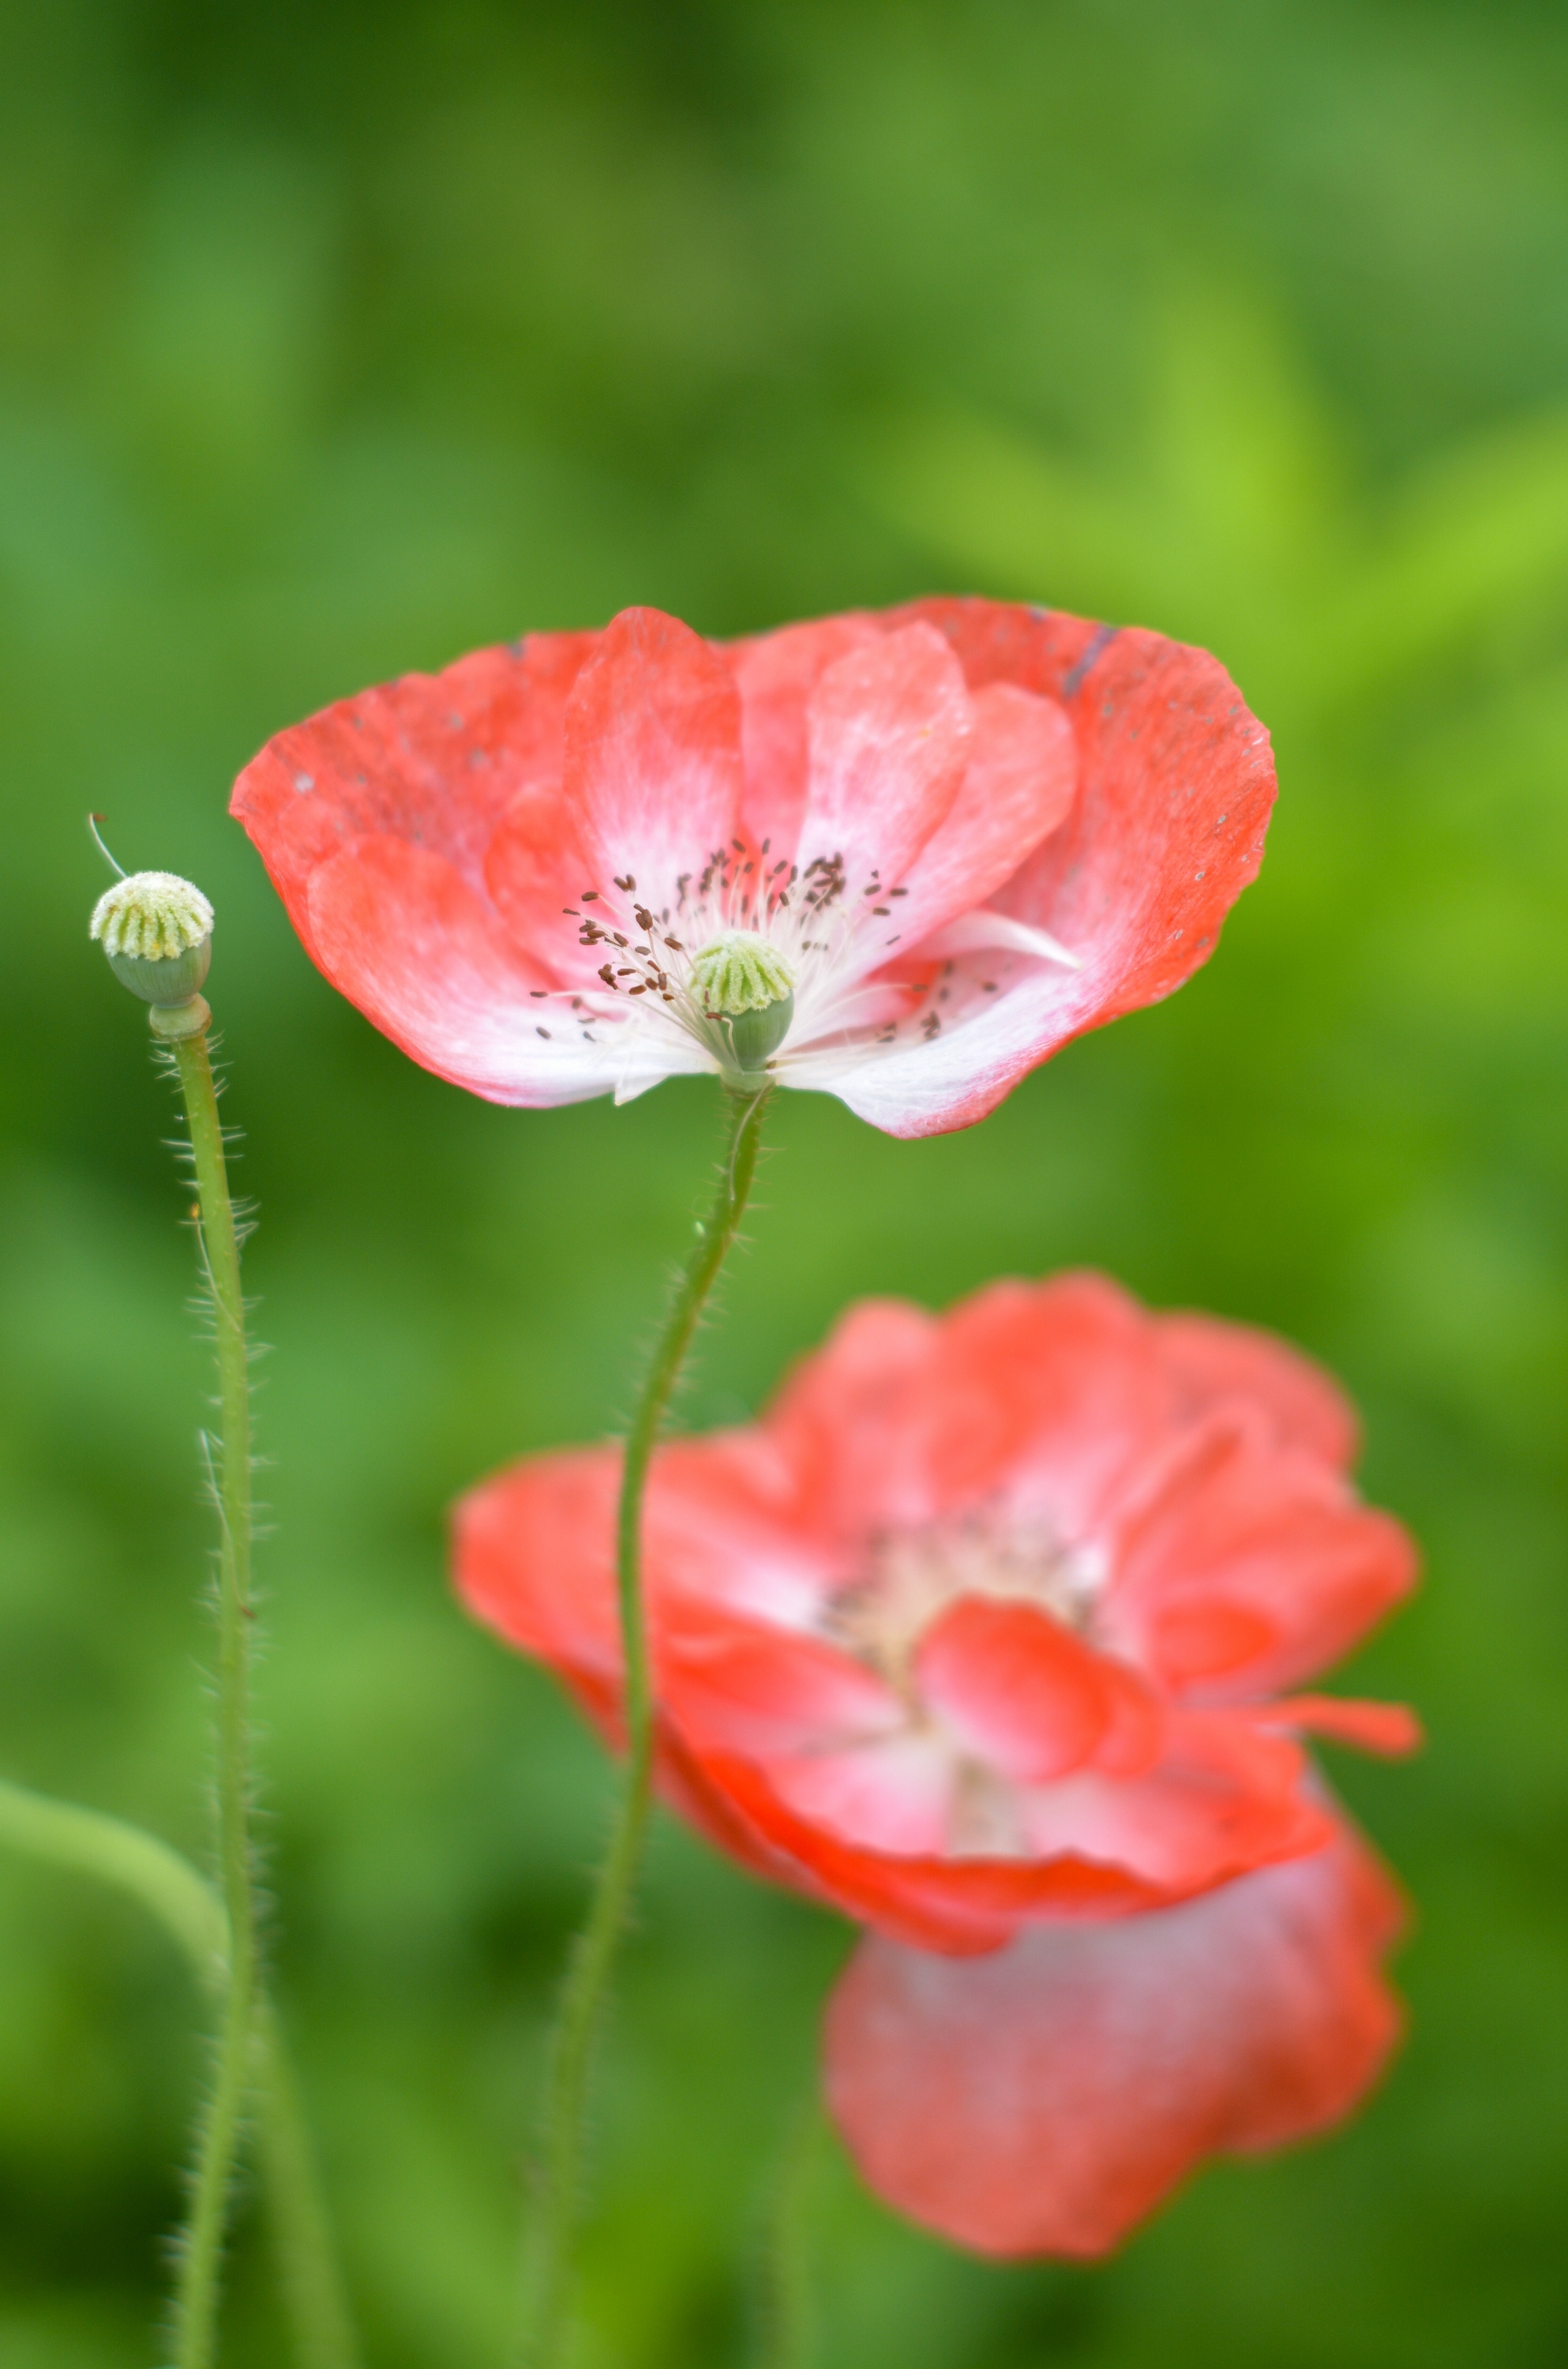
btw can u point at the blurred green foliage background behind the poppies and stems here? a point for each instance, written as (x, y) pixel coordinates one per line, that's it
(338, 340)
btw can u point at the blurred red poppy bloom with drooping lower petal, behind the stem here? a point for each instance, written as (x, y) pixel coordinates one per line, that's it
(982, 1636)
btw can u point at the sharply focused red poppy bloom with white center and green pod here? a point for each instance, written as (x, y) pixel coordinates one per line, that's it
(901, 859)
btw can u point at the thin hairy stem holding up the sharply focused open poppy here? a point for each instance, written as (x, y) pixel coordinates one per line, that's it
(584, 1996)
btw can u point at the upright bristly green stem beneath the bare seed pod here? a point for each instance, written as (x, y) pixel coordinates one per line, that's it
(224, 2117)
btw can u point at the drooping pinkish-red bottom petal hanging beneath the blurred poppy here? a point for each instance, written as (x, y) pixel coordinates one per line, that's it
(1048, 2098)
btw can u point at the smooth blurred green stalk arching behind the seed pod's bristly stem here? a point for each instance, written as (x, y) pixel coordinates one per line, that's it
(191, 1913)
